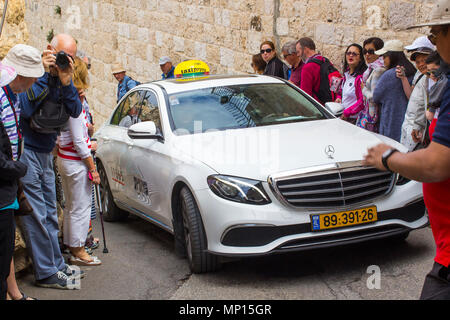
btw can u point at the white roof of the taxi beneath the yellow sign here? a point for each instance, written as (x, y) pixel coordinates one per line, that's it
(175, 86)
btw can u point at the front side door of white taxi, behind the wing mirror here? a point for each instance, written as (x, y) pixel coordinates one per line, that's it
(148, 167)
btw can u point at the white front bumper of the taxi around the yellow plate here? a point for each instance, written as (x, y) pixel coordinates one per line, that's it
(235, 229)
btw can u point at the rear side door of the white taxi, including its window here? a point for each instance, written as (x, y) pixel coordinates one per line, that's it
(116, 144)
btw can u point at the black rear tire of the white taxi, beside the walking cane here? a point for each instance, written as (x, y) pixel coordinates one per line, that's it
(111, 212)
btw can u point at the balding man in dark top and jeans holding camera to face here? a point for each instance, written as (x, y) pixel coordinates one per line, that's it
(55, 87)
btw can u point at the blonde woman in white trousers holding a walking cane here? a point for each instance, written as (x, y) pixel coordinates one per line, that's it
(77, 170)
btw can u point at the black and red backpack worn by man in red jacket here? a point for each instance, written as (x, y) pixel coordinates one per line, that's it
(329, 82)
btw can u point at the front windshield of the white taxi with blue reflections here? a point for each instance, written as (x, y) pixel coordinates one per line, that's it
(239, 106)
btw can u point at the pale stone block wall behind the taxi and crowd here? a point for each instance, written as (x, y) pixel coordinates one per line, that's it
(223, 33)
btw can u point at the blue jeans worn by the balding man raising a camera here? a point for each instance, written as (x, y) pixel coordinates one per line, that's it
(41, 227)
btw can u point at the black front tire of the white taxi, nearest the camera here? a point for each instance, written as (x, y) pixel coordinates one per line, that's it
(200, 261)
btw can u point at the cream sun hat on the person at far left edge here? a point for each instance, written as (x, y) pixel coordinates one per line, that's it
(26, 61)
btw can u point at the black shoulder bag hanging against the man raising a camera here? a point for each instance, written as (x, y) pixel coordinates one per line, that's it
(50, 117)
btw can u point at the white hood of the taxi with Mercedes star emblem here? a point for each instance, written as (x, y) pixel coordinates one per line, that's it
(256, 153)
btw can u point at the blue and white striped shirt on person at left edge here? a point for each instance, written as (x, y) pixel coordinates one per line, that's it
(9, 120)
